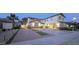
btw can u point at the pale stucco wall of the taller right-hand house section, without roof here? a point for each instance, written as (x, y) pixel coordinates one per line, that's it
(54, 22)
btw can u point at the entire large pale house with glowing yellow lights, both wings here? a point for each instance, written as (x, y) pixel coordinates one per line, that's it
(52, 22)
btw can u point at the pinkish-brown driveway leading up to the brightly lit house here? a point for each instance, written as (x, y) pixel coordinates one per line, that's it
(25, 35)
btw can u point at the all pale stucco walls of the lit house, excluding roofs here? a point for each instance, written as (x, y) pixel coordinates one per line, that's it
(51, 22)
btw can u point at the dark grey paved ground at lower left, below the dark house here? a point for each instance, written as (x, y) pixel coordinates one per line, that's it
(5, 36)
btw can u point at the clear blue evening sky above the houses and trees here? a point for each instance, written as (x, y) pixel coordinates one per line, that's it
(69, 16)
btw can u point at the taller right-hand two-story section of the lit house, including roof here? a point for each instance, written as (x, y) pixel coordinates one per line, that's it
(55, 21)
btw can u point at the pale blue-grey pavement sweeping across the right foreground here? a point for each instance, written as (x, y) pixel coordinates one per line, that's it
(59, 38)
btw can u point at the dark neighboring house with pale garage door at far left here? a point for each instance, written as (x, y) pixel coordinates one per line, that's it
(6, 23)
